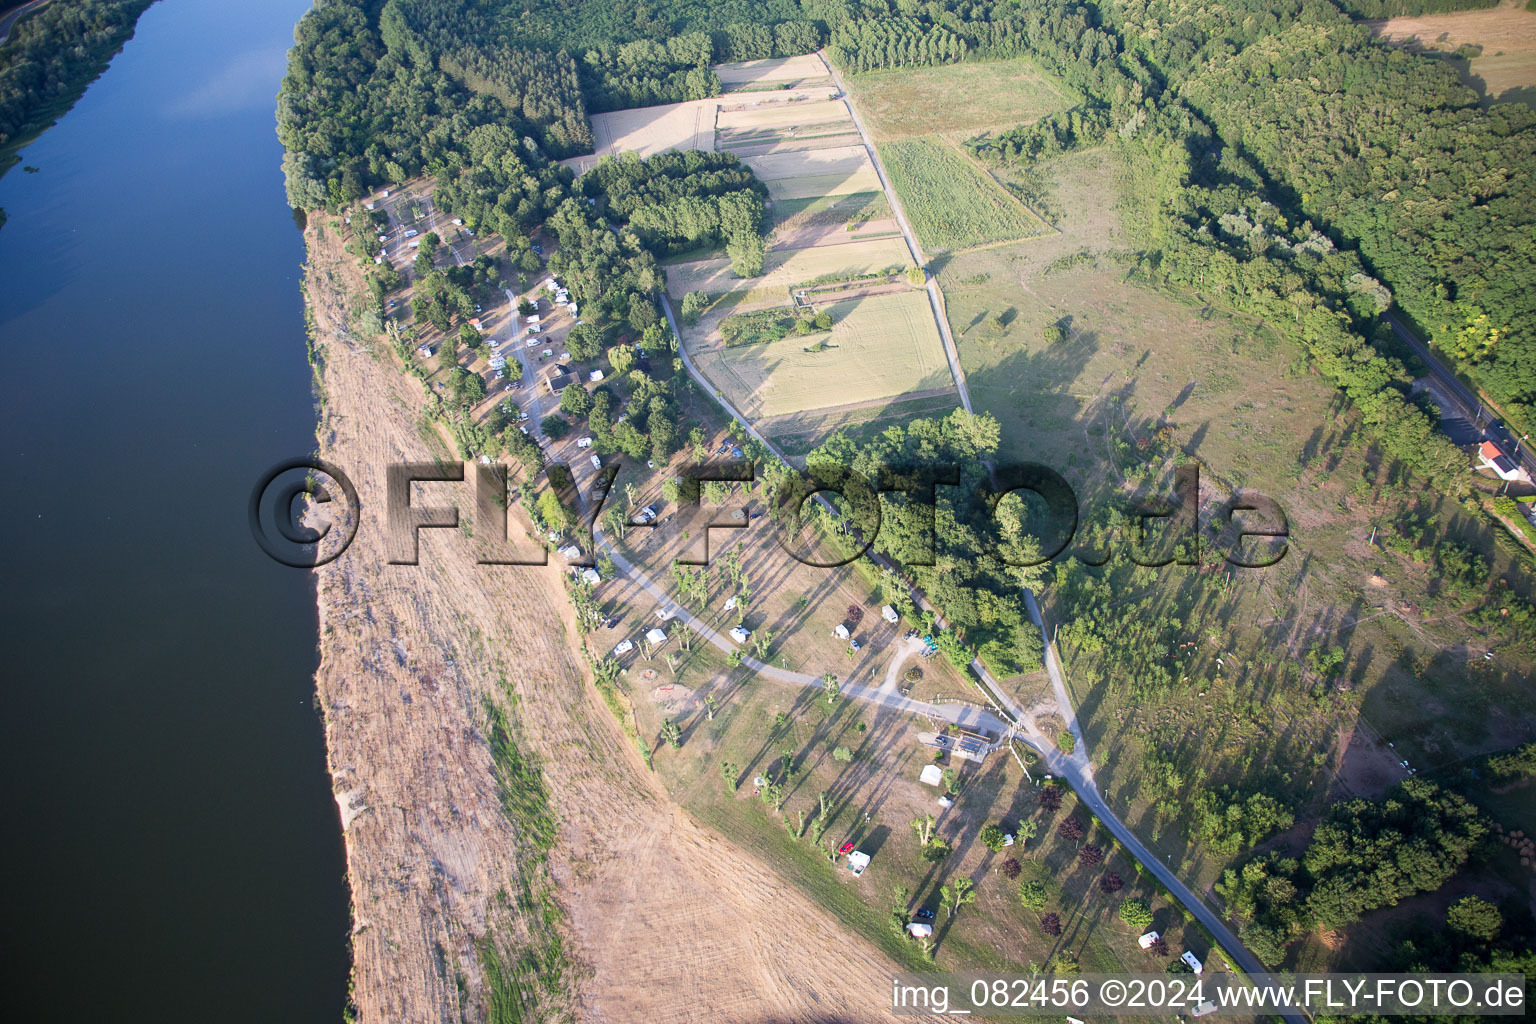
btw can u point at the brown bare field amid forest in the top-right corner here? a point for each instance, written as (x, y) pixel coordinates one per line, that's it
(1508, 35)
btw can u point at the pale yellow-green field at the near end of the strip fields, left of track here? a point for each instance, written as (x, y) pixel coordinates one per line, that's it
(879, 348)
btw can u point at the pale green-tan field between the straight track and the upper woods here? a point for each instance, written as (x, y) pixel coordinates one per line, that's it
(958, 99)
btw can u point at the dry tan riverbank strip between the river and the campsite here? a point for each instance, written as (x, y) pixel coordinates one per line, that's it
(657, 917)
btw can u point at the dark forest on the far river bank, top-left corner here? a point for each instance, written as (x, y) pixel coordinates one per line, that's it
(51, 58)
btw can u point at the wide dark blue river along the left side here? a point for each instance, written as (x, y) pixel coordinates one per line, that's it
(171, 850)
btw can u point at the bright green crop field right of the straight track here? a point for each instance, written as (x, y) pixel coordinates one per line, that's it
(952, 203)
